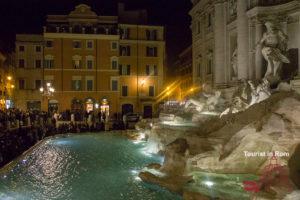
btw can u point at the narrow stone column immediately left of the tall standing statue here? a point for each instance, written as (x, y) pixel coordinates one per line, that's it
(258, 55)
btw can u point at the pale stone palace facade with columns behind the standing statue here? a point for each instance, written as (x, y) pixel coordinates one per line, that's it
(225, 36)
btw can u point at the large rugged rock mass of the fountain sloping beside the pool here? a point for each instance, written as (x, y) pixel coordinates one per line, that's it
(219, 145)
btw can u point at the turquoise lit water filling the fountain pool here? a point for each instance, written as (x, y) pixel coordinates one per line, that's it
(81, 167)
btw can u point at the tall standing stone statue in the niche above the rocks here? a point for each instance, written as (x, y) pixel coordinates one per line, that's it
(274, 46)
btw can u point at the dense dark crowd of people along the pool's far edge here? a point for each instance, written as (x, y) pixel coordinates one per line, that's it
(19, 130)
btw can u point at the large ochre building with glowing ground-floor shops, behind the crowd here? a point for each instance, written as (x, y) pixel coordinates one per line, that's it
(111, 63)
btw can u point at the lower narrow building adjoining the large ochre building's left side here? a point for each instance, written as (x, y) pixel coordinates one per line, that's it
(28, 71)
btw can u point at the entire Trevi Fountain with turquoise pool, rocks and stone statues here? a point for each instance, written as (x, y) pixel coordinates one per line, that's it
(208, 147)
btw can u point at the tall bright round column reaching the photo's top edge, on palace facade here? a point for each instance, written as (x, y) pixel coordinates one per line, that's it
(242, 40)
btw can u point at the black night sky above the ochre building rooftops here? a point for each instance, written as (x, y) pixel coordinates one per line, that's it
(28, 16)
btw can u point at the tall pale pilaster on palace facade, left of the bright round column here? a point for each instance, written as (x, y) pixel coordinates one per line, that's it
(219, 51)
